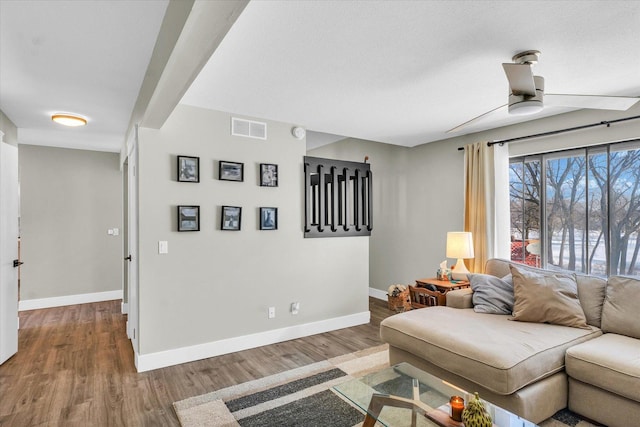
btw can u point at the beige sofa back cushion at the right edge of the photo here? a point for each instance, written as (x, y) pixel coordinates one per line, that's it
(620, 309)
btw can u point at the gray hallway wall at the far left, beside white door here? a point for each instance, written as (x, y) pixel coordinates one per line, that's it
(69, 199)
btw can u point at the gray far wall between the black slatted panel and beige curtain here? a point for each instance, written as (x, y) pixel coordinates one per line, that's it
(417, 199)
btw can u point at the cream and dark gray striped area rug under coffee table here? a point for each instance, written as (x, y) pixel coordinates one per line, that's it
(302, 397)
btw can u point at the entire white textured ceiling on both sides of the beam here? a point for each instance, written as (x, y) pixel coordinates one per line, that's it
(400, 72)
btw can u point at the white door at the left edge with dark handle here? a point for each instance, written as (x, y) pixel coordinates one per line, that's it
(8, 250)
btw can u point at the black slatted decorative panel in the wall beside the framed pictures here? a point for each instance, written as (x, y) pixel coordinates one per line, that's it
(337, 198)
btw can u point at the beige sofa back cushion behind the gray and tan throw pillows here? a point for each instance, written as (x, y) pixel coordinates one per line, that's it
(591, 289)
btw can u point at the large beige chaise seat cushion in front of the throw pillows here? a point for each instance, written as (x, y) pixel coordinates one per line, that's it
(501, 355)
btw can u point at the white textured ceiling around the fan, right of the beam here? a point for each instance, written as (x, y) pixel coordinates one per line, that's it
(403, 72)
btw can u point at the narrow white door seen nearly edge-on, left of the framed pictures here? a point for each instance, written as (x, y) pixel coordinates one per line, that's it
(132, 319)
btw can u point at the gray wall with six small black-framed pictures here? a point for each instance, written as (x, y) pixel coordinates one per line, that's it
(215, 284)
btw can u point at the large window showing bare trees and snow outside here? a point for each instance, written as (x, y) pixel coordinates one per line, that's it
(578, 210)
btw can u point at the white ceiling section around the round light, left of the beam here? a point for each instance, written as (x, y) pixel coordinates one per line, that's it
(81, 56)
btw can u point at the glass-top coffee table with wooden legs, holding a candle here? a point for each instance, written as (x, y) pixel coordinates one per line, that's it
(403, 395)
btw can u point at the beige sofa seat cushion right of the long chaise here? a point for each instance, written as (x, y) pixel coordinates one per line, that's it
(609, 362)
